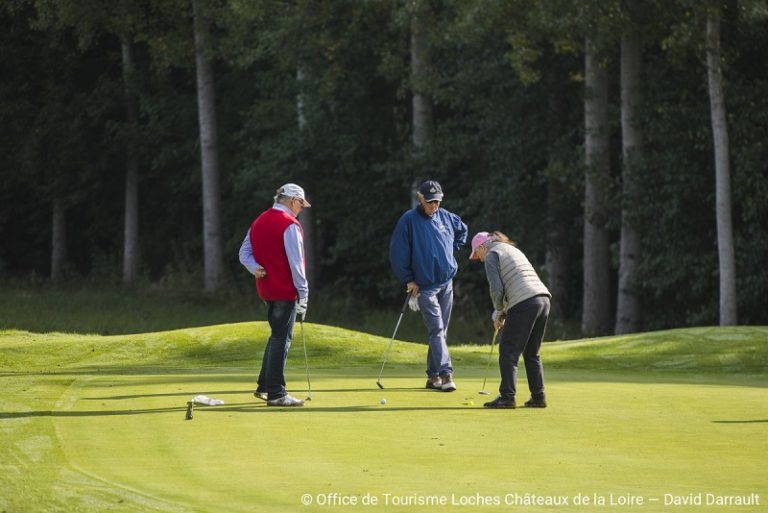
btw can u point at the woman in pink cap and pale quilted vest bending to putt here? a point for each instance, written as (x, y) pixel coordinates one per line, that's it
(521, 308)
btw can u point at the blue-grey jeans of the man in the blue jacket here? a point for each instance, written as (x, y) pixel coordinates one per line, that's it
(436, 306)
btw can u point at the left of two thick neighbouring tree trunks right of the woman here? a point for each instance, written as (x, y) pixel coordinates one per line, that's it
(596, 314)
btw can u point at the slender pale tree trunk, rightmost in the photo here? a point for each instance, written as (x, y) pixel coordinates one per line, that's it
(725, 249)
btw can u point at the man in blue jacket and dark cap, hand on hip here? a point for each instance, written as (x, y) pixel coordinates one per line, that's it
(421, 254)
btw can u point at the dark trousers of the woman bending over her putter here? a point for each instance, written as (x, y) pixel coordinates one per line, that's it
(522, 335)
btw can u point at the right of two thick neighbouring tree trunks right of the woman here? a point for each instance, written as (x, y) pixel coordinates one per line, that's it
(628, 312)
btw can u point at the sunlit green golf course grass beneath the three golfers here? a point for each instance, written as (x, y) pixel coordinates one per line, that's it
(97, 423)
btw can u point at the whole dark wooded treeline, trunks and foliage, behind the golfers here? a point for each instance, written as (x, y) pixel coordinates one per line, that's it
(622, 144)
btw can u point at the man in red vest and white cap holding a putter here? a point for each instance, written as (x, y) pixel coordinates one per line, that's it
(273, 251)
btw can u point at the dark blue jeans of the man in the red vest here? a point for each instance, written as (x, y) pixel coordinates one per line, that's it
(281, 316)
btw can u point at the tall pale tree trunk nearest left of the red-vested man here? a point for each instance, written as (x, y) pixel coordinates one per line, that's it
(206, 104)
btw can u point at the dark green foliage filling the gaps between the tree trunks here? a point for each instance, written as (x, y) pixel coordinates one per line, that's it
(507, 142)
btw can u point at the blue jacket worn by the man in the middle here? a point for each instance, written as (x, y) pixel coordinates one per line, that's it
(421, 249)
